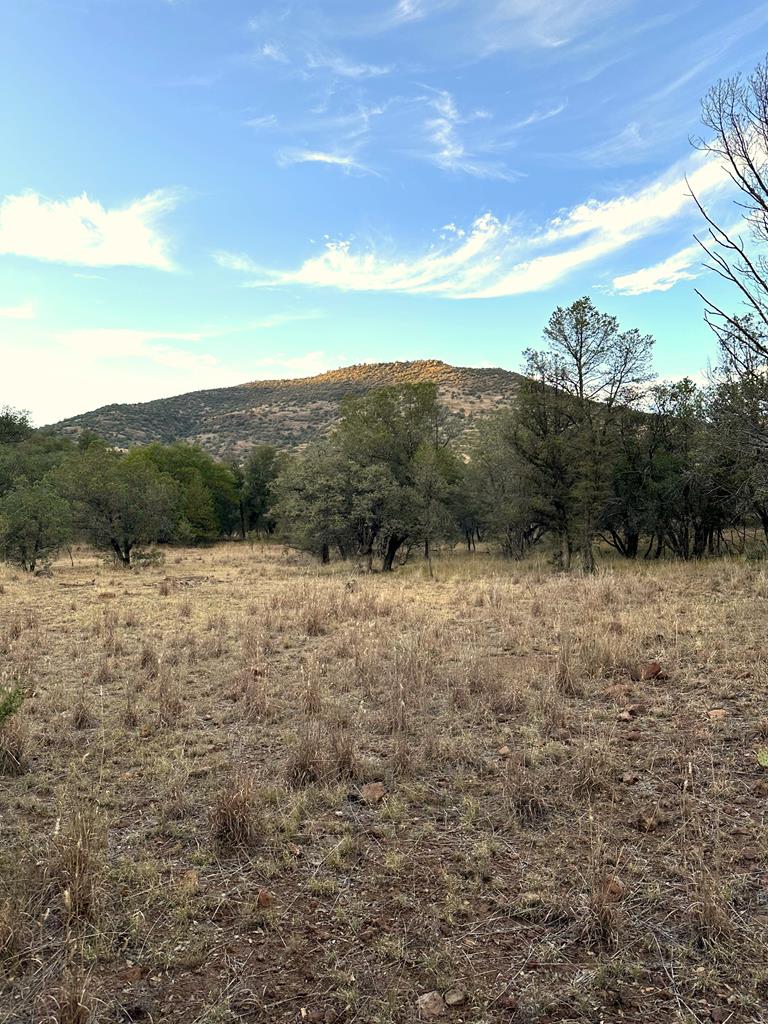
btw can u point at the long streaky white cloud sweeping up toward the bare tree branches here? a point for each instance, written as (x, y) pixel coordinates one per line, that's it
(494, 259)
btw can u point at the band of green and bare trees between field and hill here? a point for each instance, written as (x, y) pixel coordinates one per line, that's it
(592, 454)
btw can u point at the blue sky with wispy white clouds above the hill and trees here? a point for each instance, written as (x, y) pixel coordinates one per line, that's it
(201, 193)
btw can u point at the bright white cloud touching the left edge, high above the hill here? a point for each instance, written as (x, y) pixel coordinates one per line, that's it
(81, 231)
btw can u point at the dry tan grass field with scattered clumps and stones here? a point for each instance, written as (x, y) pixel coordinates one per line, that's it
(245, 789)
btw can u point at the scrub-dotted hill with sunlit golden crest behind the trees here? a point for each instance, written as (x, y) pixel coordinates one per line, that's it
(287, 413)
